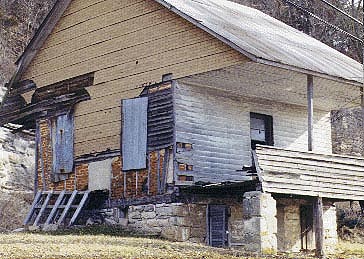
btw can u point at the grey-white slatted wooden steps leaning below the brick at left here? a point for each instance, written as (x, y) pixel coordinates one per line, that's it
(52, 209)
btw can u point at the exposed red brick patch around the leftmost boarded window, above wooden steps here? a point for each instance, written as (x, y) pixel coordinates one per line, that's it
(77, 180)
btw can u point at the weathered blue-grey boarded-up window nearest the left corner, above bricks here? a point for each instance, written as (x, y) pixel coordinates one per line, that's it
(62, 139)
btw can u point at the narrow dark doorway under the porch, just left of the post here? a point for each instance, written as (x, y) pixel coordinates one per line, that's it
(307, 232)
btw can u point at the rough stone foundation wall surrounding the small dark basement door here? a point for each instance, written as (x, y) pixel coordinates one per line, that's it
(183, 222)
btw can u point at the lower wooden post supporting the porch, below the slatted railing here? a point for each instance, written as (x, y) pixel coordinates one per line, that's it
(319, 229)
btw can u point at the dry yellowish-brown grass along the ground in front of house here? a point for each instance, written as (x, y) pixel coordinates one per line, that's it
(82, 246)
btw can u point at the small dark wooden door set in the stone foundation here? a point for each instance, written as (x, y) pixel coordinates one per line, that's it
(218, 225)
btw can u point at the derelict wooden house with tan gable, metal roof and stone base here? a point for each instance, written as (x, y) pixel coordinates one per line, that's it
(205, 121)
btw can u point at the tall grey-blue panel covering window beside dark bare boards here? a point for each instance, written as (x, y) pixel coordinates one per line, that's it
(134, 133)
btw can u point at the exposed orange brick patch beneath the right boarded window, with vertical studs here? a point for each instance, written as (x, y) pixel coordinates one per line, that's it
(136, 179)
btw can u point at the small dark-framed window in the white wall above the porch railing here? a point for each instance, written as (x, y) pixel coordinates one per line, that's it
(261, 129)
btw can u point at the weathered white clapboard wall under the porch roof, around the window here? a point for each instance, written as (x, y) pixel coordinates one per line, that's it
(217, 124)
